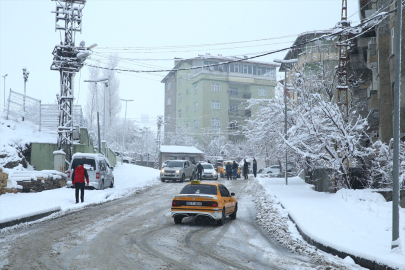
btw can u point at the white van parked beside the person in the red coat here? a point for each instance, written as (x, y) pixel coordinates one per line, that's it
(98, 168)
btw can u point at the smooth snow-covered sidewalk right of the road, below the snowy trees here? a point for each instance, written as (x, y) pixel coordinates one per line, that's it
(357, 222)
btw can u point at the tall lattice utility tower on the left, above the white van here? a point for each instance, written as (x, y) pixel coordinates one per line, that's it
(68, 59)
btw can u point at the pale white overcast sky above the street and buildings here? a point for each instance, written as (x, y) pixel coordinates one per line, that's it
(162, 29)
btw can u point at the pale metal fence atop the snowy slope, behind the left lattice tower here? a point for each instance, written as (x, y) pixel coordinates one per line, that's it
(45, 116)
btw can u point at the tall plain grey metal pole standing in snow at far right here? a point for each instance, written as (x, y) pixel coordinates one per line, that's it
(395, 244)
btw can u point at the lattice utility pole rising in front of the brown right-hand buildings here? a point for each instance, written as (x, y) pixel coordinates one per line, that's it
(343, 44)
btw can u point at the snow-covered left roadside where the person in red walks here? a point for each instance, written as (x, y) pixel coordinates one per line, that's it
(129, 179)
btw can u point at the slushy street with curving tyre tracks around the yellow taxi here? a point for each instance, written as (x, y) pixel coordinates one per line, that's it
(138, 232)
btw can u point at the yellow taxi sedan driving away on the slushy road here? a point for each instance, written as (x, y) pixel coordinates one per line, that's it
(212, 200)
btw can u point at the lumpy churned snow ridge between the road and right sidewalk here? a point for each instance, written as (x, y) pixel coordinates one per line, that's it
(274, 219)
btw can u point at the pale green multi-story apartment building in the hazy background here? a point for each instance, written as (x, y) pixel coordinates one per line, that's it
(209, 93)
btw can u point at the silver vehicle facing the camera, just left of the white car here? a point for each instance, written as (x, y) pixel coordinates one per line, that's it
(178, 170)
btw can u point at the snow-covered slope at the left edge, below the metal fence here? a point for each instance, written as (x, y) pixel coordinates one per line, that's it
(15, 139)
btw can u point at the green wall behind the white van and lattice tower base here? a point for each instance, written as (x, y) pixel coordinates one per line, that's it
(42, 153)
